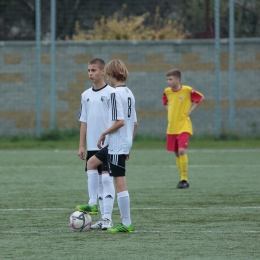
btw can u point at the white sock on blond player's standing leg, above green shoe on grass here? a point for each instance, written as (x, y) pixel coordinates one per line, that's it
(123, 201)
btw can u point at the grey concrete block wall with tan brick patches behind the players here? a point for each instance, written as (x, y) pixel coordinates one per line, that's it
(147, 61)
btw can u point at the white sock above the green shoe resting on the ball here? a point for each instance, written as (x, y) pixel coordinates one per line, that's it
(92, 186)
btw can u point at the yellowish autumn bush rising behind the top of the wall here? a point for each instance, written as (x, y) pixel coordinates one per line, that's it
(121, 27)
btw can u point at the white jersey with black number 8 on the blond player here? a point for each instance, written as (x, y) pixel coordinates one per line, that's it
(122, 107)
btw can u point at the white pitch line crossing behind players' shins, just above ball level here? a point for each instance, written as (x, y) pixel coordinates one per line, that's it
(177, 208)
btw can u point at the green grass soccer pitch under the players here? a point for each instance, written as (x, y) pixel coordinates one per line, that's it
(218, 217)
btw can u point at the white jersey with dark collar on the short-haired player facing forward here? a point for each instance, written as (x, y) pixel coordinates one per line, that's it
(94, 111)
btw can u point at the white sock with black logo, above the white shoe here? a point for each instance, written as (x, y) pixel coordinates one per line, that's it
(108, 195)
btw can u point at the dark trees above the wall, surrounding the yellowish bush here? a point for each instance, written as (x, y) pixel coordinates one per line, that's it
(17, 17)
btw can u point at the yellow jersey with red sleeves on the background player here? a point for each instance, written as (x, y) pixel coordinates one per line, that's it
(179, 103)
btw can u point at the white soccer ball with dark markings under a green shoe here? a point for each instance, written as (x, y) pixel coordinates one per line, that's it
(80, 221)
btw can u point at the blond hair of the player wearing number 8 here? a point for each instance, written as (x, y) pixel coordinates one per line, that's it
(117, 69)
